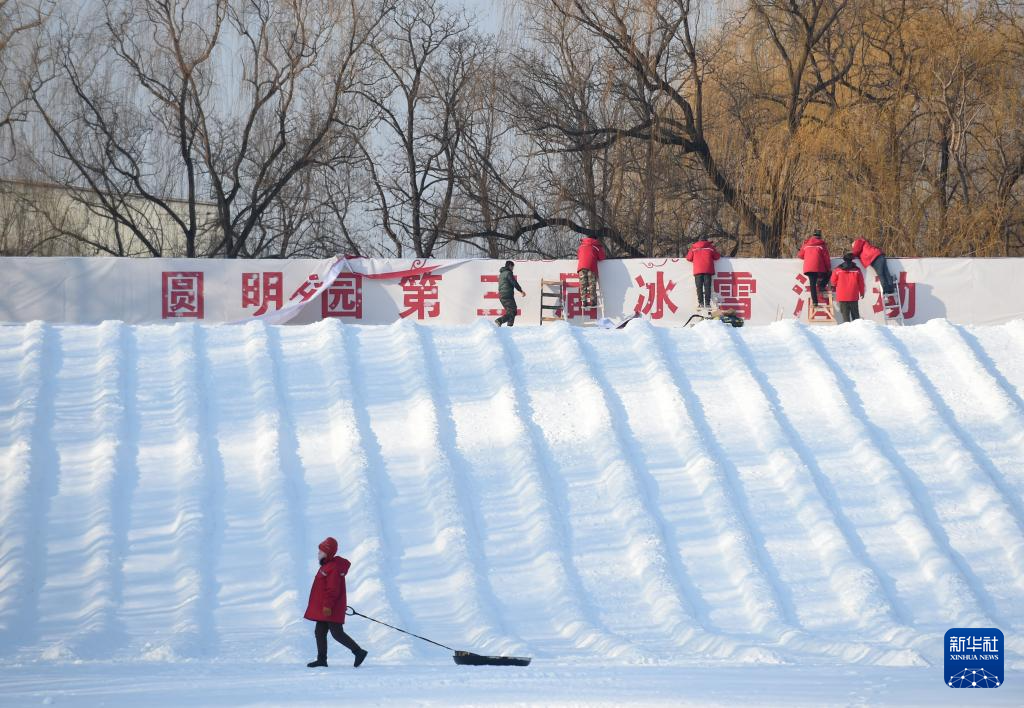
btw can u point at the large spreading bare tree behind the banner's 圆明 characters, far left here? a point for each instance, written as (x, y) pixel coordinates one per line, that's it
(209, 102)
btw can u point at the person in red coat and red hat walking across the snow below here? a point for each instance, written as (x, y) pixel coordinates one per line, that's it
(328, 603)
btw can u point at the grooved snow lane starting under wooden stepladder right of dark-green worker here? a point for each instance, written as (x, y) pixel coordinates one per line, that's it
(616, 545)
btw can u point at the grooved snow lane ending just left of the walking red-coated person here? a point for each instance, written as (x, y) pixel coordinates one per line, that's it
(257, 612)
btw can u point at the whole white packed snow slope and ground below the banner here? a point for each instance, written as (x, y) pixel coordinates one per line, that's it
(780, 515)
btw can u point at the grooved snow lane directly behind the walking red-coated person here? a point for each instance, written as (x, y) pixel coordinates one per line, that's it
(321, 401)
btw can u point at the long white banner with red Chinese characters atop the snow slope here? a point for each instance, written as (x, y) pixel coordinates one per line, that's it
(381, 291)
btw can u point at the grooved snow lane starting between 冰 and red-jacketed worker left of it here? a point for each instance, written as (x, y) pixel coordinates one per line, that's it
(647, 433)
